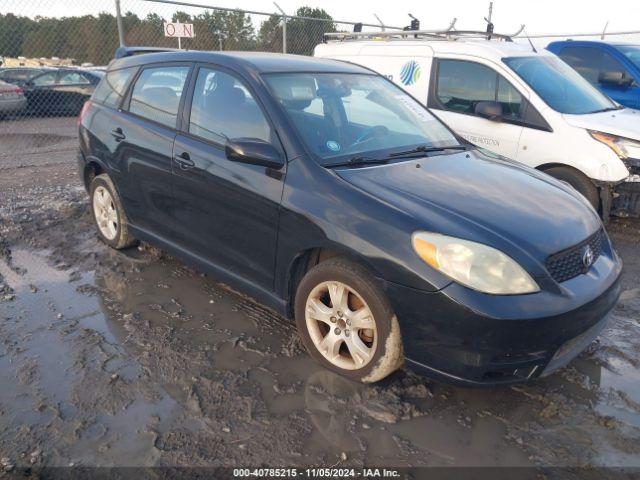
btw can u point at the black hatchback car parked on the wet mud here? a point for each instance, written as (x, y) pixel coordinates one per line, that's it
(329, 194)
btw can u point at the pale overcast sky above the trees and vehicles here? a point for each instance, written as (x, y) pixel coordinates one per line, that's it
(540, 16)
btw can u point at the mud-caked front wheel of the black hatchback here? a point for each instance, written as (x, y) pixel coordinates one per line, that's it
(346, 322)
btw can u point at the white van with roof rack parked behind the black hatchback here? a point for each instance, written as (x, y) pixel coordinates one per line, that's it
(511, 100)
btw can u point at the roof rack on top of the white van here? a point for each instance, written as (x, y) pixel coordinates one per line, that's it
(448, 34)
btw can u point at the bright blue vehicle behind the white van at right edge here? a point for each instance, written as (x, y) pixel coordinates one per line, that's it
(614, 68)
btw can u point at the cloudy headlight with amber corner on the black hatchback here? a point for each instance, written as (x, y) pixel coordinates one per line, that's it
(472, 264)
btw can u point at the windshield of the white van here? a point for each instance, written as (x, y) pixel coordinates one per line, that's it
(559, 85)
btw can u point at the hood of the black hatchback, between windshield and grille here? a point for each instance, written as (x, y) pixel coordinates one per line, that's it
(491, 201)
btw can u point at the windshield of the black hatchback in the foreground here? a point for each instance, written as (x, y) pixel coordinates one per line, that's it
(342, 115)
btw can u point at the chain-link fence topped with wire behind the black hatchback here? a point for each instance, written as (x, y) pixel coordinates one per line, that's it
(54, 52)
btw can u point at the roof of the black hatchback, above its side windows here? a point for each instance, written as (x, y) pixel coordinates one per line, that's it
(259, 62)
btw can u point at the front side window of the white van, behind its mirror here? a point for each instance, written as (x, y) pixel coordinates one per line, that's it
(462, 84)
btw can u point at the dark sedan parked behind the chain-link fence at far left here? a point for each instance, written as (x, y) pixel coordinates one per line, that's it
(60, 91)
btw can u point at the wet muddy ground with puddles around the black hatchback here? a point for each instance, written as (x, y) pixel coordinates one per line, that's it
(134, 359)
